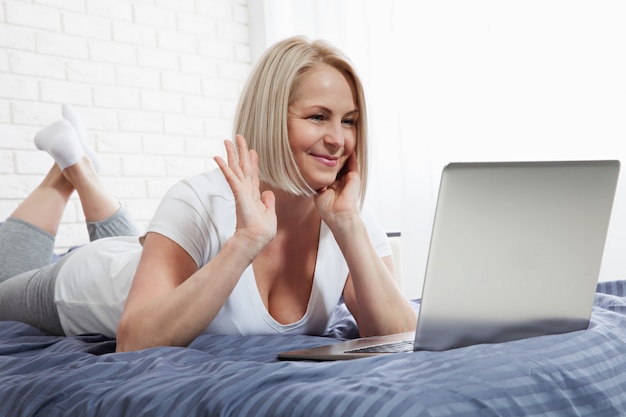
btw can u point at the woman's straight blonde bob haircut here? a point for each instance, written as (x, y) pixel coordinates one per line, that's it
(262, 112)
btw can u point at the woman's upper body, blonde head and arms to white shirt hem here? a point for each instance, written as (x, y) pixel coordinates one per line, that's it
(267, 243)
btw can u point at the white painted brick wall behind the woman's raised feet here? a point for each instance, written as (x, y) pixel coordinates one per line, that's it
(156, 82)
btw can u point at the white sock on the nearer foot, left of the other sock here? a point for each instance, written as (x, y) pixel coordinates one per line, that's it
(60, 140)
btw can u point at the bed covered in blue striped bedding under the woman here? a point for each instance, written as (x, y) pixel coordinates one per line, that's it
(575, 374)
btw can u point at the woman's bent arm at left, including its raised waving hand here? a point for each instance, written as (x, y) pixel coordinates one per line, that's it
(171, 301)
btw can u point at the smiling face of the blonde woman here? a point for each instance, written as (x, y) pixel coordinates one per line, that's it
(321, 125)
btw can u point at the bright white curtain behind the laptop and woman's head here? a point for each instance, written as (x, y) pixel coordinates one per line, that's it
(467, 81)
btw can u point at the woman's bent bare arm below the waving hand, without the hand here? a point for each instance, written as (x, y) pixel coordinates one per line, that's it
(171, 301)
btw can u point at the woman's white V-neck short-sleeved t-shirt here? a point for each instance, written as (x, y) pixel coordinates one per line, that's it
(198, 214)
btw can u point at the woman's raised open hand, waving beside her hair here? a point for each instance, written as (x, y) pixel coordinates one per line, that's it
(256, 214)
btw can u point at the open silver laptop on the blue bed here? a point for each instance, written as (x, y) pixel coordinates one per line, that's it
(515, 252)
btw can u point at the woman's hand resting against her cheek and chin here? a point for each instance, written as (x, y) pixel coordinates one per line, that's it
(340, 199)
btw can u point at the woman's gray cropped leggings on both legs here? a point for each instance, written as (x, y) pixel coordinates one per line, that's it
(27, 276)
